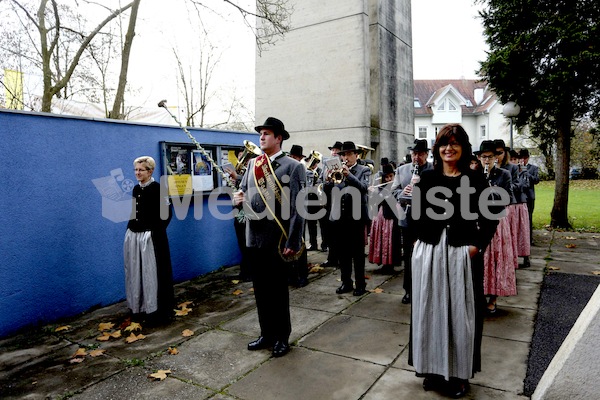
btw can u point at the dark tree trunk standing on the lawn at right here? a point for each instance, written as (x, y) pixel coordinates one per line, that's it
(559, 216)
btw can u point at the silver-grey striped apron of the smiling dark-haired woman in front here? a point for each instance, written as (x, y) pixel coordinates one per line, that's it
(443, 310)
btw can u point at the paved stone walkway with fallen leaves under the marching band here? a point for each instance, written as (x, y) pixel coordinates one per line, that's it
(344, 347)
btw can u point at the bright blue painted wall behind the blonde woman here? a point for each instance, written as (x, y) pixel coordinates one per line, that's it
(58, 255)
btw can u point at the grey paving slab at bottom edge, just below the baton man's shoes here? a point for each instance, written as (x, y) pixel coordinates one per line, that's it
(308, 374)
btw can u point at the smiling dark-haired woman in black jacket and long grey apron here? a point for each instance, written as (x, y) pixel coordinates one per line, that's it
(448, 304)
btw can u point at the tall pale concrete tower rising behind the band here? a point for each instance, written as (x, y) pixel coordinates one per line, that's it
(343, 72)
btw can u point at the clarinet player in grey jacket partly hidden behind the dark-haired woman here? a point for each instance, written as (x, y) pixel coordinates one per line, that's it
(402, 189)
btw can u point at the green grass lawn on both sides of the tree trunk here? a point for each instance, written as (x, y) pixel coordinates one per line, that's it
(584, 204)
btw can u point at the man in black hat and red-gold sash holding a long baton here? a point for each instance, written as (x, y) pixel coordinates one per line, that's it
(273, 232)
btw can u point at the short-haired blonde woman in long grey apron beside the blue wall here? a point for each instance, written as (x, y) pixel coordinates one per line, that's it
(148, 271)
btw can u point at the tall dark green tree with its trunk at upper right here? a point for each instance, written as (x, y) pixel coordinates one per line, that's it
(544, 55)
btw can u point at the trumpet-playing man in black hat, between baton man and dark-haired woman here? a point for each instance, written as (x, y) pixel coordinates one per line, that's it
(347, 225)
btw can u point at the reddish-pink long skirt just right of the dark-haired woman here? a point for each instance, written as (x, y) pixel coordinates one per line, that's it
(499, 278)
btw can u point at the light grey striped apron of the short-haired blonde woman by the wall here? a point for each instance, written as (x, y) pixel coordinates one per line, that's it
(141, 279)
